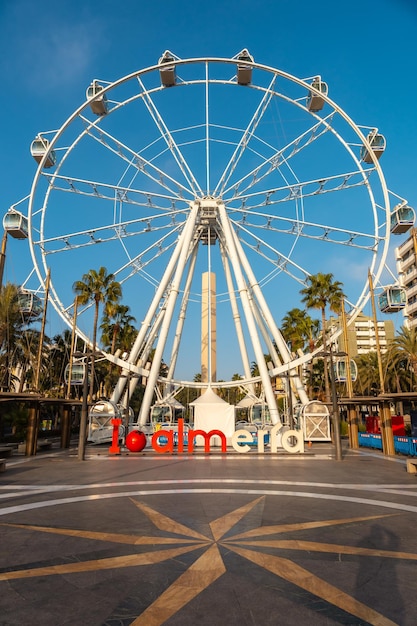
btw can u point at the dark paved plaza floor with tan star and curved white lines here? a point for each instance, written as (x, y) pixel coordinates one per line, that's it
(248, 540)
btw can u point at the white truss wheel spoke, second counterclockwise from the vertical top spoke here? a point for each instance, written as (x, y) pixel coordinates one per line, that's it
(138, 161)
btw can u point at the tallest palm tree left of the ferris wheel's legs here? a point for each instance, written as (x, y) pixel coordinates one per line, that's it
(98, 287)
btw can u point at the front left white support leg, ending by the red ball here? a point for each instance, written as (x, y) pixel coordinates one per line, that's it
(184, 245)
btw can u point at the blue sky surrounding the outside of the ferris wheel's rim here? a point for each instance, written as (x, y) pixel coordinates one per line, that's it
(365, 51)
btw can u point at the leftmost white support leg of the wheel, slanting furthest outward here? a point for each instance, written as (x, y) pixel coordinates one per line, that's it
(146, 324)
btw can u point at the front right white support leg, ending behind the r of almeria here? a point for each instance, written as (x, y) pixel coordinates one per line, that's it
(243, 292)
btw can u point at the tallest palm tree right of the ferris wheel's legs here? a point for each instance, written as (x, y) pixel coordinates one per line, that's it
(322, 291)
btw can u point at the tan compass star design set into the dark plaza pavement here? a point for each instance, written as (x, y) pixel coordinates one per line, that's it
(265, 547)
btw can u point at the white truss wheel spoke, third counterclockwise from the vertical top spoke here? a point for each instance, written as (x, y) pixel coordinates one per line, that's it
(106, 191)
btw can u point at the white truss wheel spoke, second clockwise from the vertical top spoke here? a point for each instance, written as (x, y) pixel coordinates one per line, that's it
(282, 156)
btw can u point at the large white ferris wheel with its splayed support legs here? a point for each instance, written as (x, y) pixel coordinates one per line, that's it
(216, 166)
